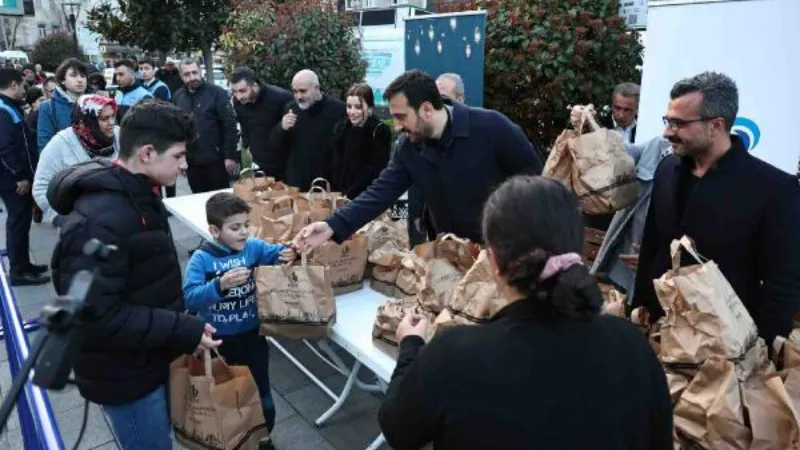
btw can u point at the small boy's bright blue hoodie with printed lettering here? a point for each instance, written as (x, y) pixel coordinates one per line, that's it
(234, 311)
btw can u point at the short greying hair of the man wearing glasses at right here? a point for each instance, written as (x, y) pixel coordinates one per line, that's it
(720, 95)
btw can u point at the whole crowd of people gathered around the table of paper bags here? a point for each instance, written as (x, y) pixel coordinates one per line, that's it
(517, 380)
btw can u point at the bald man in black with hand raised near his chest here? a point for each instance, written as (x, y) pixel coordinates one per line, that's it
(301, 138)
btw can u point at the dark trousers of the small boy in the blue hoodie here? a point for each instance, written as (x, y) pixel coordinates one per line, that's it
(251, 350)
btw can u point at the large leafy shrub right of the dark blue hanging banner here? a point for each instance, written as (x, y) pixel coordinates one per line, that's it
(544, 55)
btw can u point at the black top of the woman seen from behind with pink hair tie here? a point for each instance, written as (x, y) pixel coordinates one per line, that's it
(524, 382)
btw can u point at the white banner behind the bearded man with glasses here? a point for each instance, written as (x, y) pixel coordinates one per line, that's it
(753, 42)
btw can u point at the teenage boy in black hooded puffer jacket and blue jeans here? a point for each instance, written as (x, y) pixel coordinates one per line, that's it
(135, 320)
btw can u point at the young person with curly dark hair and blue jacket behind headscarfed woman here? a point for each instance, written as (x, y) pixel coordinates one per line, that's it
(55, 115)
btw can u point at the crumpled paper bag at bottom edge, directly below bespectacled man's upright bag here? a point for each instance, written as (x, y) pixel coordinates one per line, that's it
(710, 411)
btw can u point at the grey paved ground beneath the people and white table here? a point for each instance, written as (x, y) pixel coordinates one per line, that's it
(298, 401)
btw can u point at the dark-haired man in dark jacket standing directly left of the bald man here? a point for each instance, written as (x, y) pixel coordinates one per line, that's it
(259, 108)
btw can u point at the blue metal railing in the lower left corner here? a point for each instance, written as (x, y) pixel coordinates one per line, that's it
(36, 421)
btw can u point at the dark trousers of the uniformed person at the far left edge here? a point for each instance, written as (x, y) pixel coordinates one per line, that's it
(18, 229)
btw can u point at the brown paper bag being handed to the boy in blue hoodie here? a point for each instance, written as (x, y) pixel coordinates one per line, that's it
(295, 301)
